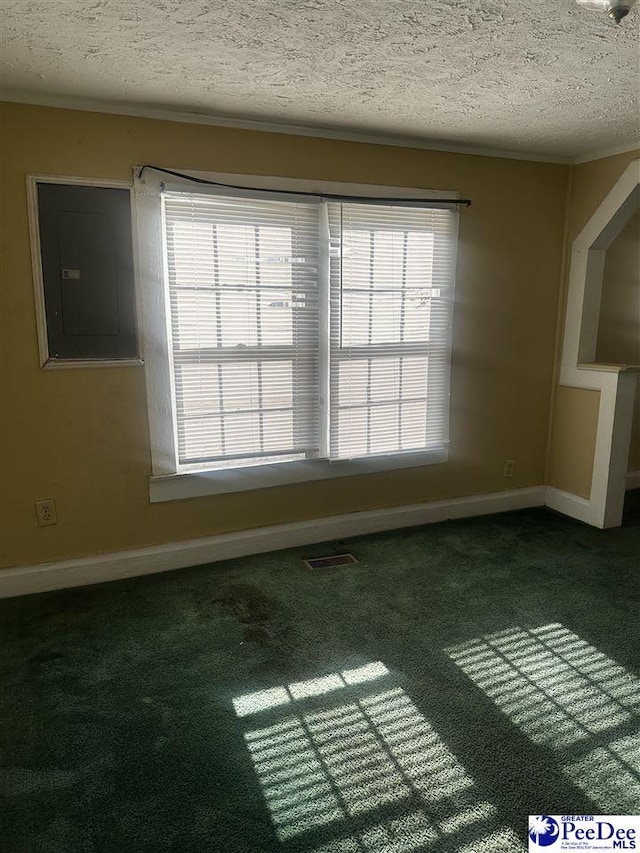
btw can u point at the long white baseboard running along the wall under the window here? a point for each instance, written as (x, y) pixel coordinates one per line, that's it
(24, 580)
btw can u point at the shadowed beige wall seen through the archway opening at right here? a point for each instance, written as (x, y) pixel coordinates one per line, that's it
(619, 329)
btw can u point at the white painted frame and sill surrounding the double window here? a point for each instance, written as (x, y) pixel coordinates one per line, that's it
(167, 482)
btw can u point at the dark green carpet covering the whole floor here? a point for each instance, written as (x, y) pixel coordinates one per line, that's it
(459, 678)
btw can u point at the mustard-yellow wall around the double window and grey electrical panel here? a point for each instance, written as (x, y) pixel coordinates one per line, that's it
(81, 436)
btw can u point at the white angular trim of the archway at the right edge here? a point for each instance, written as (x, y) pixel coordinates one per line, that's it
(615, 382)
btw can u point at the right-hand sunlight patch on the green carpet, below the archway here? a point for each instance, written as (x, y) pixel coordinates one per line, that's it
(566, 695)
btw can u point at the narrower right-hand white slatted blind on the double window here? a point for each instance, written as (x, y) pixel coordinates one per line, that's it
(392, 279)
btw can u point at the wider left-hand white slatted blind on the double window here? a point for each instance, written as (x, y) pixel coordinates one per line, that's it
(242, 278)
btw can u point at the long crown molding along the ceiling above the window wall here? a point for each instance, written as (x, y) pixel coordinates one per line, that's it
(371, 138)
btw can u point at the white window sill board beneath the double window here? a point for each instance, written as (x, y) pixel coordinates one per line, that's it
(171, 487)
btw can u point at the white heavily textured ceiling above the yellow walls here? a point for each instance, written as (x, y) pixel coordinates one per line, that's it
(534, 76)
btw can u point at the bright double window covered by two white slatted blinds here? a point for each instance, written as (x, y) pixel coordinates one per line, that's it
(304, 337)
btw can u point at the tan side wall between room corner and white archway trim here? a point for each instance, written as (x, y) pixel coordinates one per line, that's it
(571, 450)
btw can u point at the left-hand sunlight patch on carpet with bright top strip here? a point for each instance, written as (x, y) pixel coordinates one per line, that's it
(347, 757)
